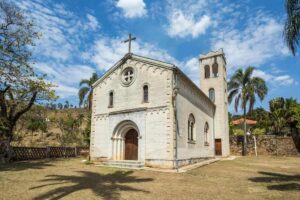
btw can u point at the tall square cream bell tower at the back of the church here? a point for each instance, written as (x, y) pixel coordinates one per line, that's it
(213, 82)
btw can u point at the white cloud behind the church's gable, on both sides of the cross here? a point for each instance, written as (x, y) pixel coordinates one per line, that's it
(107, 51)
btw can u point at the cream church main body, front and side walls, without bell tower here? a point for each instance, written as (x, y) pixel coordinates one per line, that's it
(160, 122)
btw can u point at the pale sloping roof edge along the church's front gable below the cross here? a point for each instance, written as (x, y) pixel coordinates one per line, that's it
(137, 58)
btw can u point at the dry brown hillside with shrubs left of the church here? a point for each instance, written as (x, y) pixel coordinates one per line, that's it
(64, 127)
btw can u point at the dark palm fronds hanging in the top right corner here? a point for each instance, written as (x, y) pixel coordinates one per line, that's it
(292, 24)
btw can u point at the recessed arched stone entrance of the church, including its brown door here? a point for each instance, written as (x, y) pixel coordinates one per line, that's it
(125, 141)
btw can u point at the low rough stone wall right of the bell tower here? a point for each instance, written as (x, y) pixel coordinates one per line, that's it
(266, 145)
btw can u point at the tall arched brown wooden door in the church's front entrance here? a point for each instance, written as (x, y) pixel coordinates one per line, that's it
(131, 145)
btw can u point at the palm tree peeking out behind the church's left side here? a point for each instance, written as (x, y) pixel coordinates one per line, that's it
(86, 92)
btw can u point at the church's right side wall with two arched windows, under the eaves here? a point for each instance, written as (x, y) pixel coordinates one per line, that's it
(192, 101)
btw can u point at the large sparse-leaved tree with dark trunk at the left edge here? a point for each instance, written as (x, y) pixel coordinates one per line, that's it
(20, 86)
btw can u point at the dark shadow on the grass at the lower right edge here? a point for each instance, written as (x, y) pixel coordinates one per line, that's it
(286, 182)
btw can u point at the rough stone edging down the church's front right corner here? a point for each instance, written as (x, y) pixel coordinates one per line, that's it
(175, 104)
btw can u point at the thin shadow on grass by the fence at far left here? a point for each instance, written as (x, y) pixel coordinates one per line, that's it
(24, 165)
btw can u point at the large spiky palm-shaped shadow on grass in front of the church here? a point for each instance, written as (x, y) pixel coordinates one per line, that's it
(108, 186)
